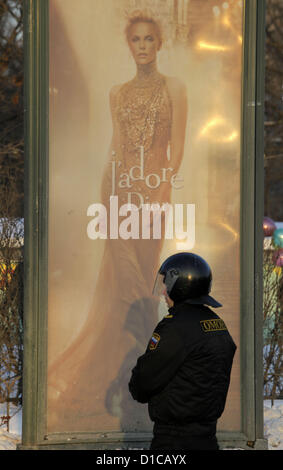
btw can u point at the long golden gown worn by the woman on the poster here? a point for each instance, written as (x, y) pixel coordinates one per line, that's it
(91, 377)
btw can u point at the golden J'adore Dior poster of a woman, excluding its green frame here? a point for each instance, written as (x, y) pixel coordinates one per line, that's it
(145, 99)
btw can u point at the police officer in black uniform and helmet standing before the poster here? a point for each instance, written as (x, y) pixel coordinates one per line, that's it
(184, 373)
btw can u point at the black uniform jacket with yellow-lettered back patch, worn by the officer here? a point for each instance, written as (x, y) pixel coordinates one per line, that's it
(184, 373)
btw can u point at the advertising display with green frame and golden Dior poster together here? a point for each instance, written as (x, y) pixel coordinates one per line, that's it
(143, 129)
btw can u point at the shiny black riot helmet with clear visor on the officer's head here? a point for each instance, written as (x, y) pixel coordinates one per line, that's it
(186, 276)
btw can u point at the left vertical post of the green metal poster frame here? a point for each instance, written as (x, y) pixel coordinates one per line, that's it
(36, 217)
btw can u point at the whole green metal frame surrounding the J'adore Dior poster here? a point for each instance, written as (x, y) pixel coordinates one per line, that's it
(36, 32)
